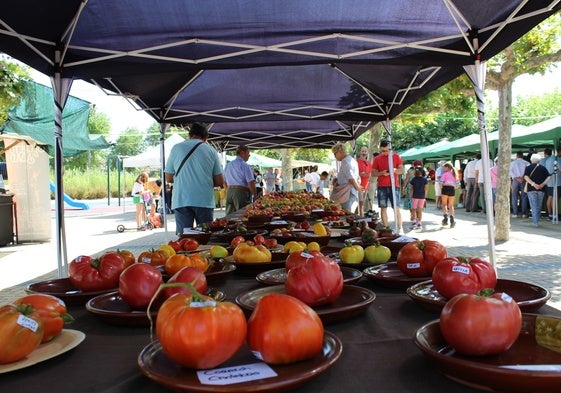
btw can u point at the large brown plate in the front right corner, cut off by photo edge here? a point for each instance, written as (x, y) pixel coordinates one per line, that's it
(526, 367)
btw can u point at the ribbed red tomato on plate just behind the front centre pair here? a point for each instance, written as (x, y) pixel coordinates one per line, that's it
(316, 282)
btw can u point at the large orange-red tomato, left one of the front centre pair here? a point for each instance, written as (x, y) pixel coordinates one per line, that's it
(198, 332)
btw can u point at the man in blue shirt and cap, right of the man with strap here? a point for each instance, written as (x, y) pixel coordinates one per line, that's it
(240, 181)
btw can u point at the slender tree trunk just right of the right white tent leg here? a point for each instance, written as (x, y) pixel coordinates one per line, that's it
(502, 206)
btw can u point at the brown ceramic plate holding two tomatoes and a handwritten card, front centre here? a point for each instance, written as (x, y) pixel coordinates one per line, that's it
(158, 367)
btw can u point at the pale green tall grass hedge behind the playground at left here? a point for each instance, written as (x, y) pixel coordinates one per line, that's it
(92, 183)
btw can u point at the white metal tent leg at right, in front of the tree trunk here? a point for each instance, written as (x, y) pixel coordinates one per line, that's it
(476, 73)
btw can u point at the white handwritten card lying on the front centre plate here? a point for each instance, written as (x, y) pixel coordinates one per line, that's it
(235, 374)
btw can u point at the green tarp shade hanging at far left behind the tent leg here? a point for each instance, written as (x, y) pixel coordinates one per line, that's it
(34, 117)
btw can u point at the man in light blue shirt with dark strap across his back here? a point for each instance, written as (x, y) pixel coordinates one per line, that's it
(194, 182)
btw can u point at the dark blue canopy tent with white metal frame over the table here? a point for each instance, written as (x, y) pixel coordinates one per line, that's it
(393, 51)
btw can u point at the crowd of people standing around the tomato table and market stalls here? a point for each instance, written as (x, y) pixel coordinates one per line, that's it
(367, 177)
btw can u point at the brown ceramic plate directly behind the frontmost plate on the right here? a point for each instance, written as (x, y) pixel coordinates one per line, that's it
(529, 297)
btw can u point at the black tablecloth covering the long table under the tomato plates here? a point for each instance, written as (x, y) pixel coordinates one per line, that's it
(378, 353)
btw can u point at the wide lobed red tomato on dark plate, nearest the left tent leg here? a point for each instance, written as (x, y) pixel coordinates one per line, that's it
(89, 274)
